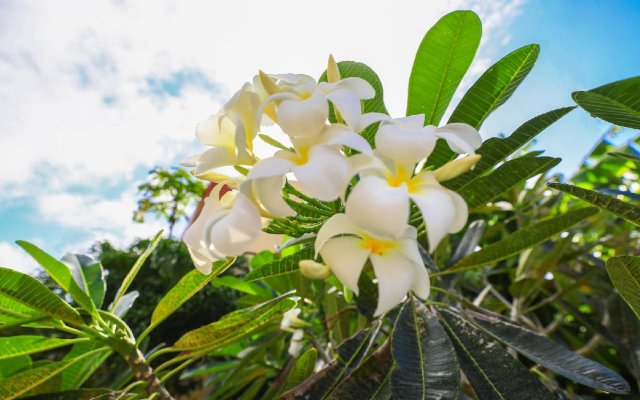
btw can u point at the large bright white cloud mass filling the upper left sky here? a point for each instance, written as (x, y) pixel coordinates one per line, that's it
(77, 110)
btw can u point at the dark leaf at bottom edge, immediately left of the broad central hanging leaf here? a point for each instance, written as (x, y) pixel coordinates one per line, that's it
(321, 384)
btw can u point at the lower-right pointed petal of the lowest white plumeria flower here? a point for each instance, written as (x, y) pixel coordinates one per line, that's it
(395, 276)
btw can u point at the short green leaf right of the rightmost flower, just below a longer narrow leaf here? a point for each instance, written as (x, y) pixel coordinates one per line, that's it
(508, 175)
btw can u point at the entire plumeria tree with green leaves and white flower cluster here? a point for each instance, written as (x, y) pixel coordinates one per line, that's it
(390, 257)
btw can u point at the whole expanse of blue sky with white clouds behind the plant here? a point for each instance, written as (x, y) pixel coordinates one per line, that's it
(93, 94)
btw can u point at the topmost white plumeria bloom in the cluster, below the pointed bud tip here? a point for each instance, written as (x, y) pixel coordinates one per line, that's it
(300, 105)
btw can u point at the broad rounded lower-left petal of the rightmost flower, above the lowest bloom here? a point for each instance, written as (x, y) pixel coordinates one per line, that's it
(378, 208)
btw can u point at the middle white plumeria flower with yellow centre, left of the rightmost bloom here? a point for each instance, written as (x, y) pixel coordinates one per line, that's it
(321, 169)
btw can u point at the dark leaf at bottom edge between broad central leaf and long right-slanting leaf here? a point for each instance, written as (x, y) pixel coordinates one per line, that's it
(492, 372)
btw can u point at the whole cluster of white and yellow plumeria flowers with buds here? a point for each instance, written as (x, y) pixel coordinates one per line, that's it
(328, 162)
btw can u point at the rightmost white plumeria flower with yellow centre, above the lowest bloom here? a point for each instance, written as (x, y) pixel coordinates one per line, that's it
(380, 203)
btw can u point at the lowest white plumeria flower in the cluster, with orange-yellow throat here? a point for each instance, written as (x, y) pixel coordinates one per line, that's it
(345, 248)
